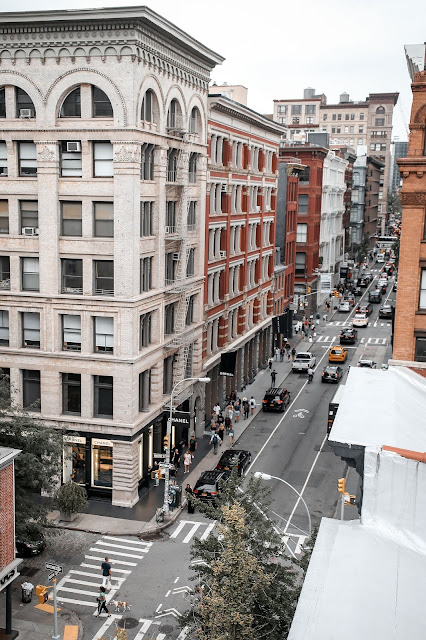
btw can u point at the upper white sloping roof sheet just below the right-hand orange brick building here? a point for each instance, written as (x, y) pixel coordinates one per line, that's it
(382, 408)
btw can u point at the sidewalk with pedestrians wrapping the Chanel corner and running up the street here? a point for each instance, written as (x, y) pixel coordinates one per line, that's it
(103, 518)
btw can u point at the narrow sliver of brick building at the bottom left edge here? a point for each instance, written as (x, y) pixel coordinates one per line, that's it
(8, 563)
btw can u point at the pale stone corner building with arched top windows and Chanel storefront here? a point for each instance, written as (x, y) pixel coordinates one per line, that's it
(103, 210)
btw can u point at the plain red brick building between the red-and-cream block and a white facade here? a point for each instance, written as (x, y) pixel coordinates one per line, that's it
(308, 221)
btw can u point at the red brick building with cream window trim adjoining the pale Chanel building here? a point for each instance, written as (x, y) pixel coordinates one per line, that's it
(240, 242)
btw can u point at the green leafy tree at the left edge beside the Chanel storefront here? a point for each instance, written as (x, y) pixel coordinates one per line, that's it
(38, 466)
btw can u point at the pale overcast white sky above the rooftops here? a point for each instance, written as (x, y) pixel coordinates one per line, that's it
(278, 48)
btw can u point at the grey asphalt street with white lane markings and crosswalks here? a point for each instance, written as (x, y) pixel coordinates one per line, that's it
(153, 576)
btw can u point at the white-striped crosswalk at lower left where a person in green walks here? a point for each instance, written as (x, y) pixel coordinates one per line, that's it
(81, 586)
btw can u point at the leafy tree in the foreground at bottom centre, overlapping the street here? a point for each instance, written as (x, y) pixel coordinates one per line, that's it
(247, 588)
